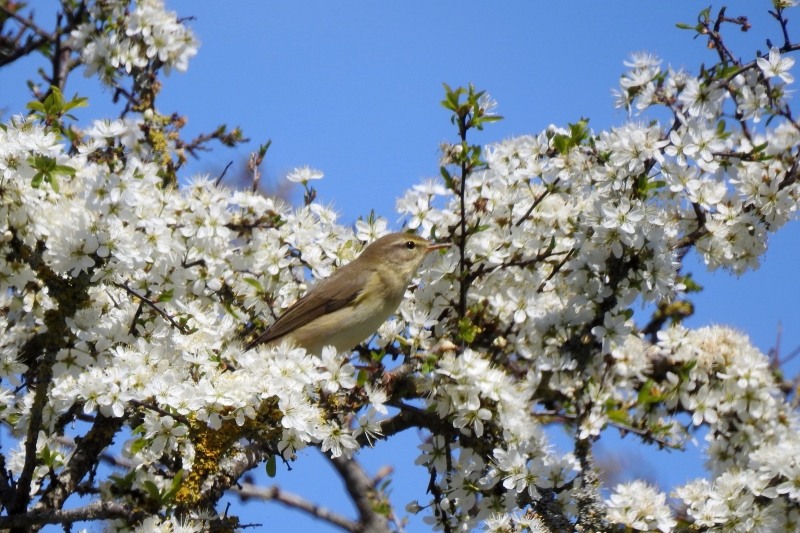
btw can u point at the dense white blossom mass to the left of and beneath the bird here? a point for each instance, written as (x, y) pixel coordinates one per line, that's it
(156, 271)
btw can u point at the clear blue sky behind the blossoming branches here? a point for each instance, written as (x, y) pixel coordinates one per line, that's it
(353, 89)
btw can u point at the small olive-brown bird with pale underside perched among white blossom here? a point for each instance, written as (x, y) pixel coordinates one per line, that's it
(351, 304)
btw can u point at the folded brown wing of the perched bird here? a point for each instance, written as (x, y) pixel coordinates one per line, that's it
(317, 302)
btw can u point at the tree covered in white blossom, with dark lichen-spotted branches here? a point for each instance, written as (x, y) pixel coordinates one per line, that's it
(126, 300)
